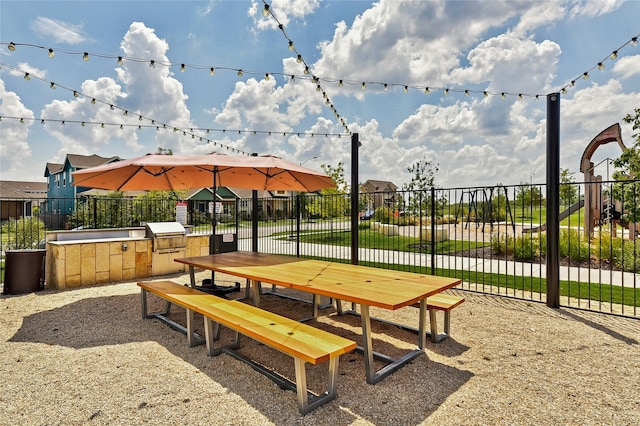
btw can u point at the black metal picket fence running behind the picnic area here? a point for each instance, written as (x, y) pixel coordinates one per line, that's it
(491, 237)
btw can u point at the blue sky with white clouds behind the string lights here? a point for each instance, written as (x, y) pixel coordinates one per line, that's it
(533, 48)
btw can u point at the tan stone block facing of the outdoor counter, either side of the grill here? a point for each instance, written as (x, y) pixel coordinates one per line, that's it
(71, 264)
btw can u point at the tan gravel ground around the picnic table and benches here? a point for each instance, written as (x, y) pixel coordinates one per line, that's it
(87, 357)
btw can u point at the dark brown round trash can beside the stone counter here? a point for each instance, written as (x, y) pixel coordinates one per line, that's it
(24, 271)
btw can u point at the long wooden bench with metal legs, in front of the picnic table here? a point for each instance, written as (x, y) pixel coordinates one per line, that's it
(306, 344)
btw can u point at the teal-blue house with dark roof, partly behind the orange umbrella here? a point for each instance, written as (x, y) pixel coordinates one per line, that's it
(61, 192)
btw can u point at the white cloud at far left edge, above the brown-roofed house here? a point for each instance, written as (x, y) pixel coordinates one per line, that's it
(15, 151)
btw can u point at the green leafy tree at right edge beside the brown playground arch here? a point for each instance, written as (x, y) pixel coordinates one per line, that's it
(628, 171)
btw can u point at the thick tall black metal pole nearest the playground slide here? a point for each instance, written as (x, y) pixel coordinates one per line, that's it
(553, 200)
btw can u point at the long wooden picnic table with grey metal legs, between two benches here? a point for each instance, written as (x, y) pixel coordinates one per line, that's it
(362, 285)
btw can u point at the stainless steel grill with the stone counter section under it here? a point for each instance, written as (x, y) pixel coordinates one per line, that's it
(168, 242)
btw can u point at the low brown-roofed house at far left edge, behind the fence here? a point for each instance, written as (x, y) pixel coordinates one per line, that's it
(20, 198)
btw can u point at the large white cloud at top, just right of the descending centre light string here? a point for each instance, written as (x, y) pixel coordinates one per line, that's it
(411, 42)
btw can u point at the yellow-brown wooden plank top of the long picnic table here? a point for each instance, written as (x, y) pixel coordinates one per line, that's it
(382, 288)
